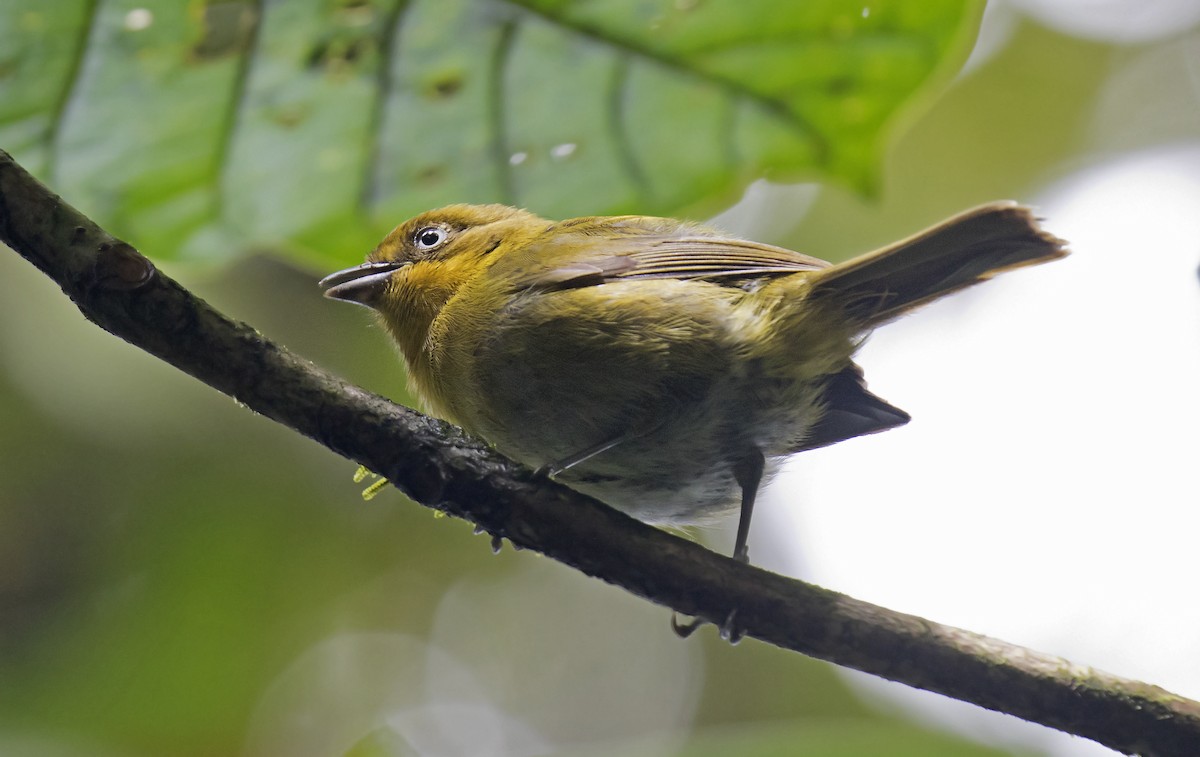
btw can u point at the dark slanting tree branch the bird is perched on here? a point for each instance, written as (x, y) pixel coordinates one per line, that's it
(439, 466)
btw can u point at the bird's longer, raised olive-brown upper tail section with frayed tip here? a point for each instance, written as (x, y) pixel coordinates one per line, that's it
(963, 251)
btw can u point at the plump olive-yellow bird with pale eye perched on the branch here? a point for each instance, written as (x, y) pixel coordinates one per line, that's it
(661, 367)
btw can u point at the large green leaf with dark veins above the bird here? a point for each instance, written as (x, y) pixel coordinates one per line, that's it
(203, 130)
